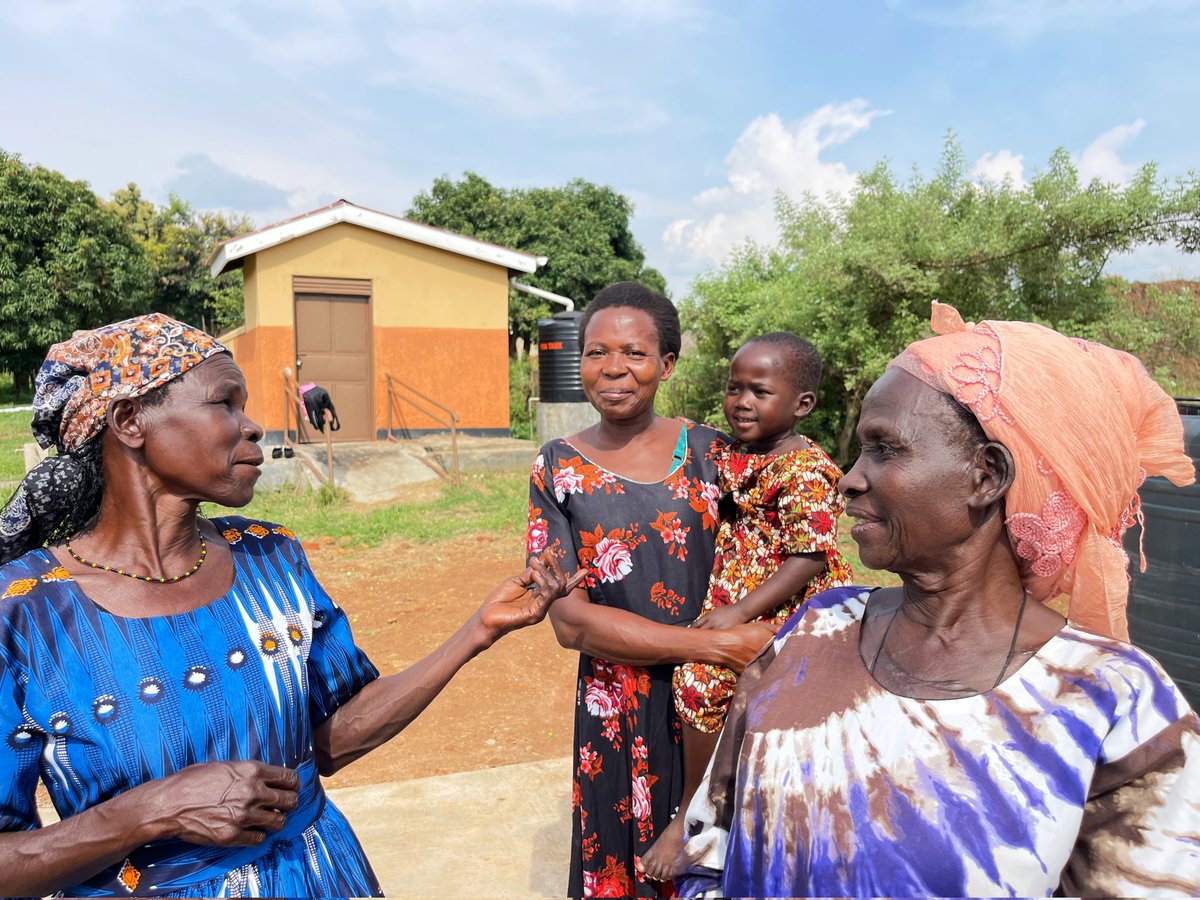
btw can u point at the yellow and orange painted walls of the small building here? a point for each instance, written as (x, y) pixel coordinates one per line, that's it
(440, 323)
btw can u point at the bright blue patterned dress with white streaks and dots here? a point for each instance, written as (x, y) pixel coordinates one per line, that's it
(98, 704)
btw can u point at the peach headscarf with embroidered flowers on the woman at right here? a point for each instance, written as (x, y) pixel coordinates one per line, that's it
(1085, 425)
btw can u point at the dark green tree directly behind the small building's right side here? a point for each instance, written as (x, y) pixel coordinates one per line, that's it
(581, 229)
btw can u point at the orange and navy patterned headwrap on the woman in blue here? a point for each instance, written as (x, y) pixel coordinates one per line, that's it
(81, 377)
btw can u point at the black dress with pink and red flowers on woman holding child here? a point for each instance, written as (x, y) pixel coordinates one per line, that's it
(649, 548)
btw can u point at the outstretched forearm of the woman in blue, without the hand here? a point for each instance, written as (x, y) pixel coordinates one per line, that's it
(387, 706)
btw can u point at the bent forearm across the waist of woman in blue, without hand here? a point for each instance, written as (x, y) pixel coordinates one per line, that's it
(64, 854)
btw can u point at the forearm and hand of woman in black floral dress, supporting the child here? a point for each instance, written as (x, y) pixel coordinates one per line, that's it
(622, 637)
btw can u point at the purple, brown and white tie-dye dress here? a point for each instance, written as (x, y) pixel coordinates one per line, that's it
(1082, 770)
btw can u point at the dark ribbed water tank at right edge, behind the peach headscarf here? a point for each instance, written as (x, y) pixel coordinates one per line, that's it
(1165, 613)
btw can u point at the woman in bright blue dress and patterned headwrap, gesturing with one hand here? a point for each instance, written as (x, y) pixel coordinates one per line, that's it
(179, 685)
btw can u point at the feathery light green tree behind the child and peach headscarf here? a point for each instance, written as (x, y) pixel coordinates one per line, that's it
(857, 277)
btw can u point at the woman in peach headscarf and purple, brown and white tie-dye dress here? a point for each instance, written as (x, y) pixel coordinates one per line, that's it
(956, 737)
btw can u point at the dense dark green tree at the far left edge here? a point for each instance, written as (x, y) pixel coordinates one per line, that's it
(67, 262)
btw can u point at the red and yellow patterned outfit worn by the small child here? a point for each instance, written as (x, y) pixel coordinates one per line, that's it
(787, 505)
